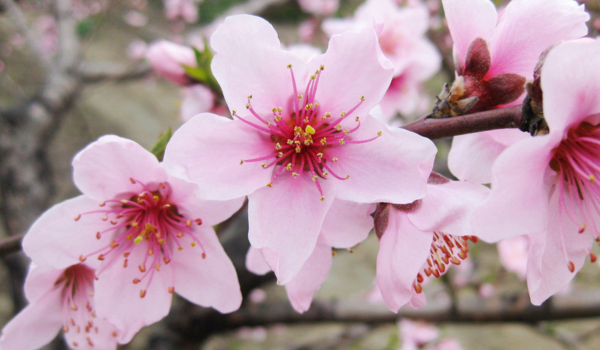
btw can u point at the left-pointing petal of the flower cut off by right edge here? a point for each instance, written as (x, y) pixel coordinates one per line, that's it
(521, 183)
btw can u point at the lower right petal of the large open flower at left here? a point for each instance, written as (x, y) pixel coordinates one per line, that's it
(210, 281)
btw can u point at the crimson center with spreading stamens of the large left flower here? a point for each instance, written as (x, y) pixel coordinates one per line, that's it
(149, 221)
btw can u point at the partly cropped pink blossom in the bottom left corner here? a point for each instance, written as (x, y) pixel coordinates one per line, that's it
(59, 299)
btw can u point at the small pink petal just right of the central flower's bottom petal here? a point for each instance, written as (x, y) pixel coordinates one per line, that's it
(301, 289)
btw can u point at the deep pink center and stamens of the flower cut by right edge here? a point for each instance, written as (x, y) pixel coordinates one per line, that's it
(577, 164)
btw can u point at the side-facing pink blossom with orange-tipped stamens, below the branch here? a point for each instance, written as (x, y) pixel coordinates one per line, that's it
(423, 239)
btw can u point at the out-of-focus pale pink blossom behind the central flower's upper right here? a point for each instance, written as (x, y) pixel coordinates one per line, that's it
(401, 33)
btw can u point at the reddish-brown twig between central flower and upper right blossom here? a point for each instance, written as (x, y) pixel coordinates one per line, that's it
(437, 128)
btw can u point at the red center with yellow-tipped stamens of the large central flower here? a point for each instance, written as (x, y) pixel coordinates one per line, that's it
(305, 138)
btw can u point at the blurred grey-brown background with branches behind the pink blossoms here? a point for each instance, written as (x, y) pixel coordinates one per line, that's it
(71, 71)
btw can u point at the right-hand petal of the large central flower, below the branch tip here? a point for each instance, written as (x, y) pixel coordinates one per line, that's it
(392, 168)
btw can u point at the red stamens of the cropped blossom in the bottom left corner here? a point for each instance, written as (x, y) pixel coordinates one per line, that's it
(77, 284)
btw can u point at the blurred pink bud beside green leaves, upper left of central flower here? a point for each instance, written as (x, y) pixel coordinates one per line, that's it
(167, 59)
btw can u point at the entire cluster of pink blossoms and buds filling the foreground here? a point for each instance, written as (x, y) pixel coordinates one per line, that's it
(298, 141)
